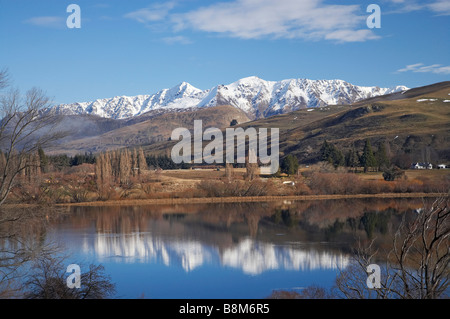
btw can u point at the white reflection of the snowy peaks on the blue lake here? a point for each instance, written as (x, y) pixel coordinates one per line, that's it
(249, 255)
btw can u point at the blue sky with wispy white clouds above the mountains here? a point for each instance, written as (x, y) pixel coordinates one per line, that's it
(140, 47)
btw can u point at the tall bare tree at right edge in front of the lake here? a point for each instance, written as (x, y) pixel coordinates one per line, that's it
(422, 252)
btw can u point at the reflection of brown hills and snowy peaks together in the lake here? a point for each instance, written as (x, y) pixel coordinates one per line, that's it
(253, 238)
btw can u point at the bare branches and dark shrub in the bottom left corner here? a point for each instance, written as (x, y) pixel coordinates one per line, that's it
(33, 267)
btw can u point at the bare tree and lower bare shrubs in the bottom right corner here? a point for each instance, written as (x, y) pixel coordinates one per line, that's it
(417, 266)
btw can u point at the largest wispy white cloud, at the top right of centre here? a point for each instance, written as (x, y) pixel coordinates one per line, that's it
(253, 19)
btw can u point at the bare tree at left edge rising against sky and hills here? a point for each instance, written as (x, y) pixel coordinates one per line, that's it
(24, 127)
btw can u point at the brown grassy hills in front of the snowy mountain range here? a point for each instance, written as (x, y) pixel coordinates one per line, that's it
(414, 122)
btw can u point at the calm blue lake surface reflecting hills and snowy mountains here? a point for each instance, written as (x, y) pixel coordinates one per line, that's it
(223, 250)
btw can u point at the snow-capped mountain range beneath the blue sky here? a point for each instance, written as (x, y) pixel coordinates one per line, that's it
(256, 97)
